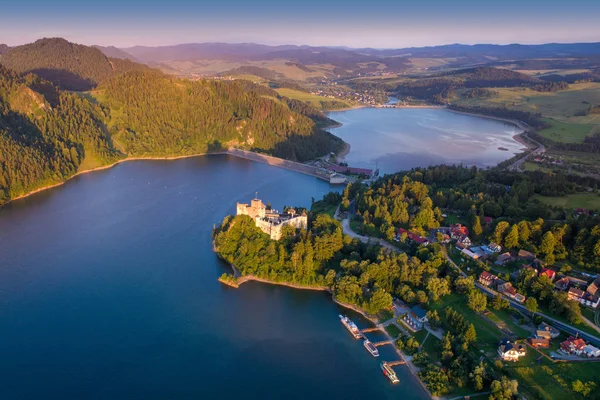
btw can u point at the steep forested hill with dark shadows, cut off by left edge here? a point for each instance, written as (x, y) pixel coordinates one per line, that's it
(46, 135)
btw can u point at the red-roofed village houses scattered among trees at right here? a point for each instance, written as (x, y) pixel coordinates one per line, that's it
(491, 259)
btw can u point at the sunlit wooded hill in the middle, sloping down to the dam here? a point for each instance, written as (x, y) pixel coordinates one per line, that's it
(153, 114)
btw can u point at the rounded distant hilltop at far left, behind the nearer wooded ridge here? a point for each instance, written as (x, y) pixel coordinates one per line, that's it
(69, 66)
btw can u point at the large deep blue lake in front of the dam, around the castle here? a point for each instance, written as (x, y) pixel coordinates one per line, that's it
(108, 290)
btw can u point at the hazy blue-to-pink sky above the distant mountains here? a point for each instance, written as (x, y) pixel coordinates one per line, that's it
(369, 23)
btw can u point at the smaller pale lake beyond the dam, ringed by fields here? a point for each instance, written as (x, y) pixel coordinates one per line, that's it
(395, 139)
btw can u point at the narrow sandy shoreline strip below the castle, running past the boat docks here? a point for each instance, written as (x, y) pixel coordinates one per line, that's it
(241, 279)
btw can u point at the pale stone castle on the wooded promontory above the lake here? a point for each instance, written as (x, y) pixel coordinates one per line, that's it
(271, 221)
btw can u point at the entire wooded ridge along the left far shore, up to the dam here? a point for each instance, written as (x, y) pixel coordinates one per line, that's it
(47, 135)
